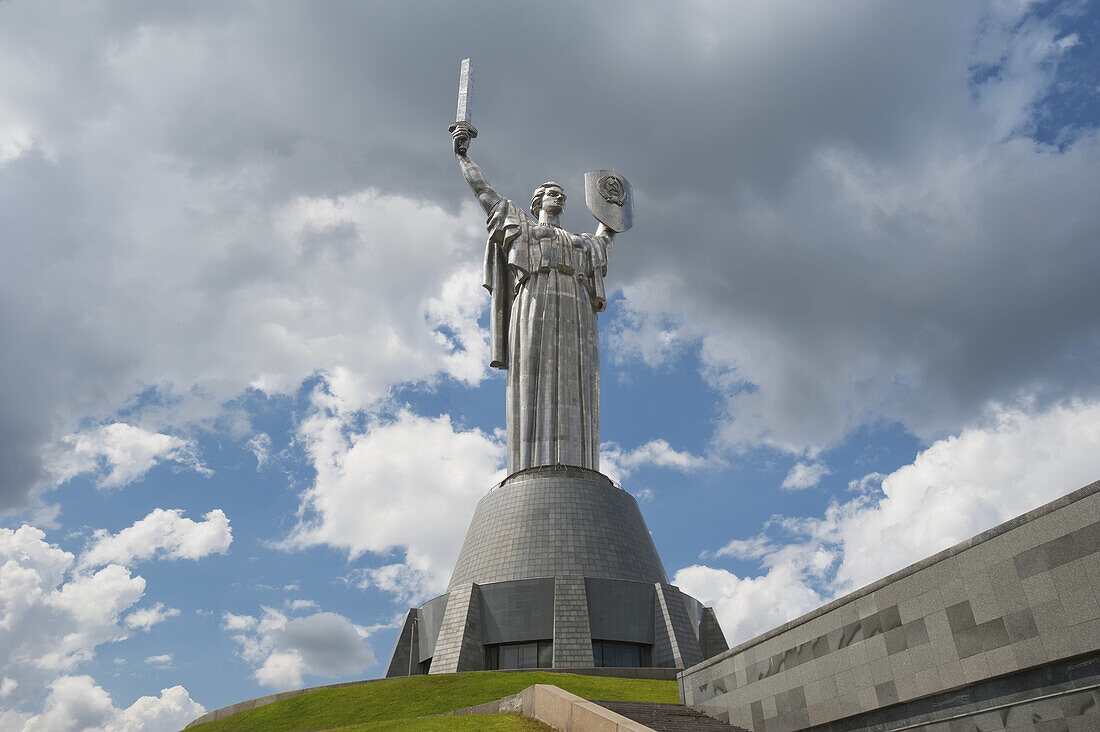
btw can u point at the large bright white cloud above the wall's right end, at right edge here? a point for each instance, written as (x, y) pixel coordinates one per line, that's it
(963, 486)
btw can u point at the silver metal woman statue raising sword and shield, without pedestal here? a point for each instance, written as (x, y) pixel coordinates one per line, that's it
(547, 287)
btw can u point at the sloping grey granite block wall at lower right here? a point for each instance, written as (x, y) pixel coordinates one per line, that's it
(1004, 627)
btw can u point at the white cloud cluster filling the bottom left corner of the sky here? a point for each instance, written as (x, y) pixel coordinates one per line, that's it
(52, 620)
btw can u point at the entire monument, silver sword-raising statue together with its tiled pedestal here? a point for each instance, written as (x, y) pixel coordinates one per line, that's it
(558, 569)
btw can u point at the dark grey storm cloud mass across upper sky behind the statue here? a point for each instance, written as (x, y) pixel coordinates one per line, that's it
(849, 224)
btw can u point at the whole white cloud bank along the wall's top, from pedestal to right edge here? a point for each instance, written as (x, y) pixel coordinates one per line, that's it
(955, 489)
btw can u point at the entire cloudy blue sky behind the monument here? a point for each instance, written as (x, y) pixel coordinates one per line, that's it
(246, 412)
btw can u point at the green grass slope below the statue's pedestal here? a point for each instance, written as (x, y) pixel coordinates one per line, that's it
(393, 701)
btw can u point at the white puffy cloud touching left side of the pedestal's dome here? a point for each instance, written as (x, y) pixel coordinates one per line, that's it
(409, 483)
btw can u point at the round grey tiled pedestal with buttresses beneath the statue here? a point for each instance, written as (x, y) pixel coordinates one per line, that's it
(557, 555)
